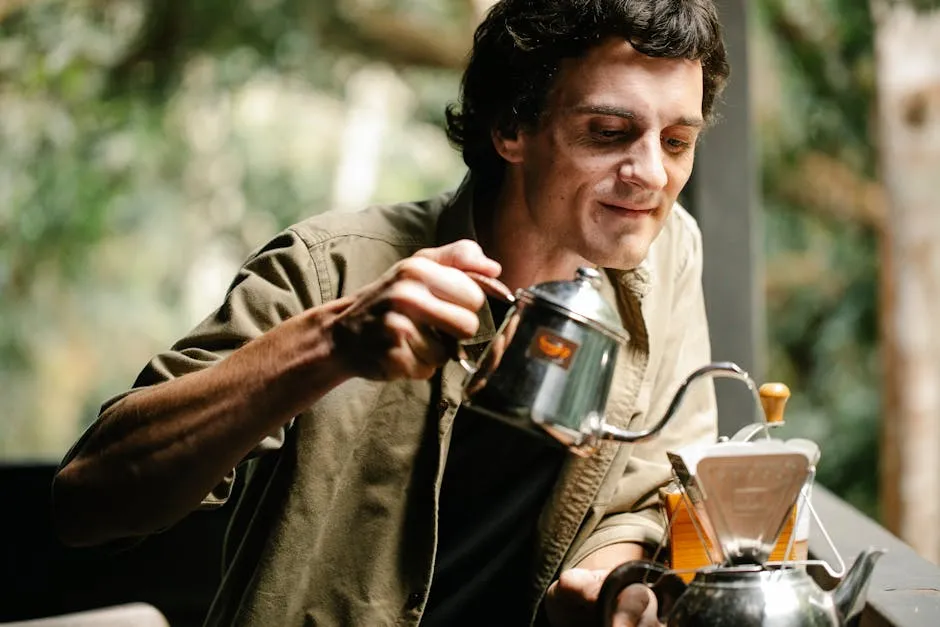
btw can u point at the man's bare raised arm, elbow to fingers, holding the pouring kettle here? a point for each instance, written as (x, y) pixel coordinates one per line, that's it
(154, 455)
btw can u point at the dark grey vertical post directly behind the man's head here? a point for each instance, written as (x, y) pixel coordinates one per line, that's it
(722, 196)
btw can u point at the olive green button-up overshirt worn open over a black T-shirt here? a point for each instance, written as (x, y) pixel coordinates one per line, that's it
(338, 527)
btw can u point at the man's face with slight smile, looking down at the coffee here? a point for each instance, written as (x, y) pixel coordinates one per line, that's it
(614, 148)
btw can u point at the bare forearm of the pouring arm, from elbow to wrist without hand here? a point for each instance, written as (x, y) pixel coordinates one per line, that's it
(155, 454)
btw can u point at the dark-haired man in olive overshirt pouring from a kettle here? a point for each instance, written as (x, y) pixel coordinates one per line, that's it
(323, 379)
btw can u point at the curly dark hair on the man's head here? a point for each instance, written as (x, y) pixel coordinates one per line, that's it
(519, 47)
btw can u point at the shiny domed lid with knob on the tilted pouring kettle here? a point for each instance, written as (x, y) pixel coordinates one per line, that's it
(583, 299)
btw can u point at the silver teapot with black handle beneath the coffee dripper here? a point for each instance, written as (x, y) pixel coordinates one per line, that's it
(744, 596)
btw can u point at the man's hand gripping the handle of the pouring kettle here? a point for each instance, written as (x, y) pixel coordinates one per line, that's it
(391, 329)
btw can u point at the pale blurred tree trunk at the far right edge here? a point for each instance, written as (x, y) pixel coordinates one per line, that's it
(907, 46)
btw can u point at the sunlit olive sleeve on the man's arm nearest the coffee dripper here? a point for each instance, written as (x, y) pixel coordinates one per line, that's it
(634, 513)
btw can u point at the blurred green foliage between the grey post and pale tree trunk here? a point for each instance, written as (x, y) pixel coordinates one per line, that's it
(818, 166)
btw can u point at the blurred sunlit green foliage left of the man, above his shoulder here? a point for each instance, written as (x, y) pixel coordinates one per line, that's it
(146, 148)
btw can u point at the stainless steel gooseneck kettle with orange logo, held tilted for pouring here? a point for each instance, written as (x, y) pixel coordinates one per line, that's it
(550, 366)
